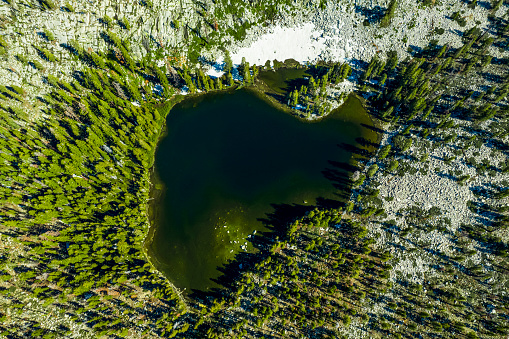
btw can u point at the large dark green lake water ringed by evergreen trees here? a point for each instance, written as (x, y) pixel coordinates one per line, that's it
(225, 160)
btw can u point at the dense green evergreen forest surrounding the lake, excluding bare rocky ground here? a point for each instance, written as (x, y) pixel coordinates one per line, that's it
(75, 188)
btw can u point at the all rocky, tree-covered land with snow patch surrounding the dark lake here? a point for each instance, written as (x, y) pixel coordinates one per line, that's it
(420, 250)
